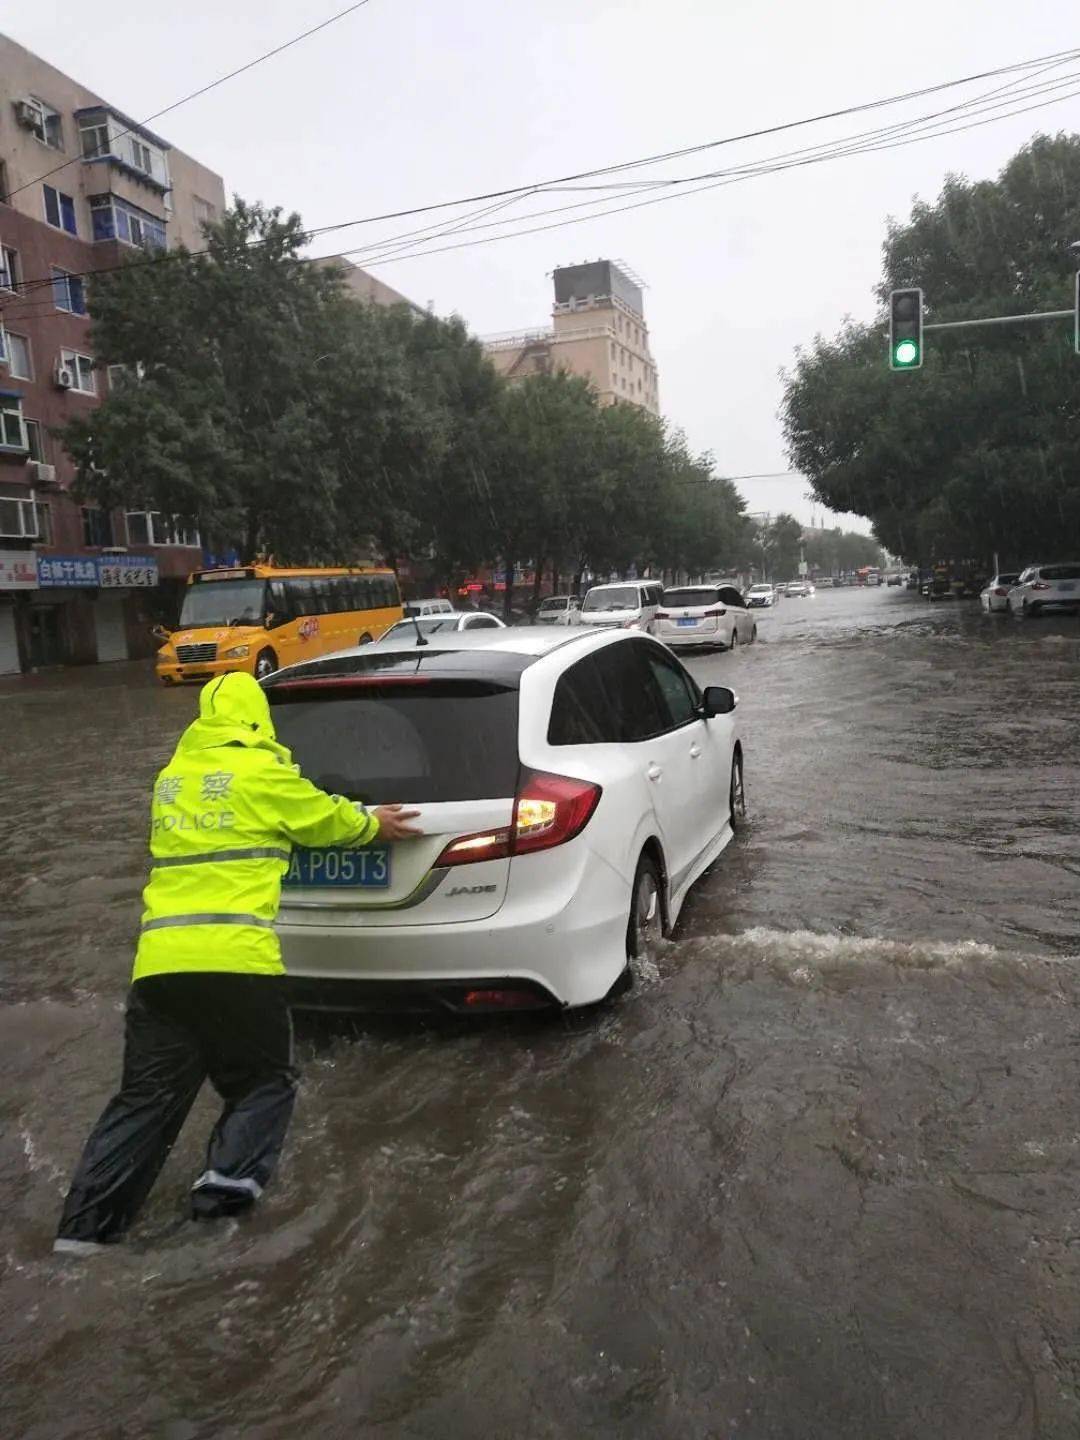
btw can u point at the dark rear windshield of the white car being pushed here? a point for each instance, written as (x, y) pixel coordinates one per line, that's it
(413, 741)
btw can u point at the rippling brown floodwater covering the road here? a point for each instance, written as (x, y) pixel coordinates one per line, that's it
(817, 1176)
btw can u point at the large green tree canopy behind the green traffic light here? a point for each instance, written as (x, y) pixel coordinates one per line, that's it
(978, 451)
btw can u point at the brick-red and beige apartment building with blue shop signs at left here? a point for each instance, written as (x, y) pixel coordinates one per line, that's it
(83, 188)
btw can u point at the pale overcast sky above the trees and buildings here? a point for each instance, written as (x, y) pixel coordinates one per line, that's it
(413, 102)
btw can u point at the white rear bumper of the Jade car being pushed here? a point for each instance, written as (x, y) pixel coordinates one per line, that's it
(565, 944)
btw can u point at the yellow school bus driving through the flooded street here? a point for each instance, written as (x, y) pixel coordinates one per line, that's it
(260, 618)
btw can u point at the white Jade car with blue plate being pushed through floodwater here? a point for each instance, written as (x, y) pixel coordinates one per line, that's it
(572, 788)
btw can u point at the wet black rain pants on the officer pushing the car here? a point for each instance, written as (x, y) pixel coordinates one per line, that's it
(181, 1030)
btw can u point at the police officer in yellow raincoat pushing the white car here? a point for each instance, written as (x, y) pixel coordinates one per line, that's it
(207, 997)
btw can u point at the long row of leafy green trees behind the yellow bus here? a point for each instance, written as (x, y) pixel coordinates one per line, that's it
(263, 402)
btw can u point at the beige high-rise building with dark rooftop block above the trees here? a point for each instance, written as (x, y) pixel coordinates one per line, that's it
(598, 332)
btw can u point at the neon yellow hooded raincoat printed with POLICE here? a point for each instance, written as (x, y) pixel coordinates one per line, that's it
(225, 814)
